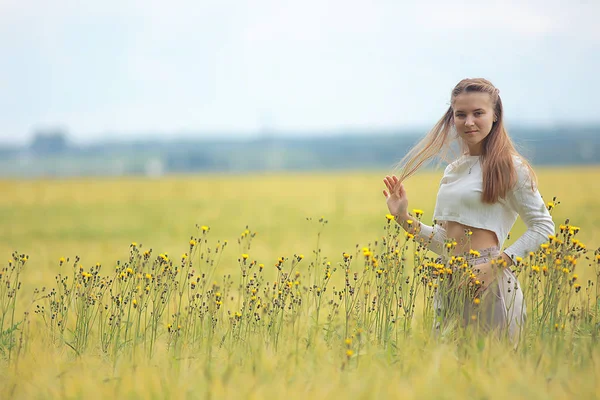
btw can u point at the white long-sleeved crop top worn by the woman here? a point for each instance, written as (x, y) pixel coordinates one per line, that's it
(459, 200)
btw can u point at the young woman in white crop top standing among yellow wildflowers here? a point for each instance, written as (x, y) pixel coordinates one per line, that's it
(479, 198)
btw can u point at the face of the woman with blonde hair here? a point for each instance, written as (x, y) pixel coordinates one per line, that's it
(473, 119)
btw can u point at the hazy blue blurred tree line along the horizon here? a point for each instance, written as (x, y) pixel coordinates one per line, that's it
(50, 153)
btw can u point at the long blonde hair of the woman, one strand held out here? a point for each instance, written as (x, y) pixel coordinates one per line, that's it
(499, 173)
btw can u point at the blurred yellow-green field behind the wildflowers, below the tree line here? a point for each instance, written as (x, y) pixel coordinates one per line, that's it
(97, 219)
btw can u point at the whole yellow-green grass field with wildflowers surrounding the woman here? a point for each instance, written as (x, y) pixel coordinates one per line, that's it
(214, 346)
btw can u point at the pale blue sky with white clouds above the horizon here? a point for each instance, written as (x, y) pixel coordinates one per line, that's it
(127, 69)
